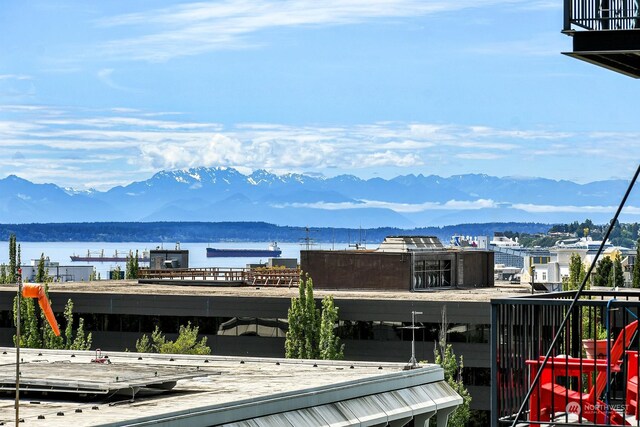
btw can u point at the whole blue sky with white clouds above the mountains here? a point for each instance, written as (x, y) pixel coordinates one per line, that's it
(102, 93)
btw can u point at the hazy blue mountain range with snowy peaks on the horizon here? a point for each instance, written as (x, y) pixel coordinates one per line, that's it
(225, 194)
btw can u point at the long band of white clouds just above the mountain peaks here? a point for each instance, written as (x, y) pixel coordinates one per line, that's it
(135, 143)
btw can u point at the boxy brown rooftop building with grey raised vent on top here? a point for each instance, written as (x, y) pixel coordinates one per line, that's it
(414, 263)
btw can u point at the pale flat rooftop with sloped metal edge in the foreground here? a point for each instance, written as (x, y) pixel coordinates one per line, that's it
(65, 387)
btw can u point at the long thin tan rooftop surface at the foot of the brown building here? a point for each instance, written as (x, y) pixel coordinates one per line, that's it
(501, 290)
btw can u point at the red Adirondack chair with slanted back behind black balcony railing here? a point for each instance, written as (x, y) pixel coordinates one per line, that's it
(549, 397)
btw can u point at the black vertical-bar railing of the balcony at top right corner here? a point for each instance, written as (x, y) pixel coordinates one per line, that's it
(598, 15)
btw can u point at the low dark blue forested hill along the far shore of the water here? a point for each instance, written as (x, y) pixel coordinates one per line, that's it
(172, 232)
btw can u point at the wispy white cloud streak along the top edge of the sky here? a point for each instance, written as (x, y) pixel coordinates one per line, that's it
(195, 28)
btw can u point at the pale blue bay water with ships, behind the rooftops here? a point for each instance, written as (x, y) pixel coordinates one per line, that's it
(61, 252)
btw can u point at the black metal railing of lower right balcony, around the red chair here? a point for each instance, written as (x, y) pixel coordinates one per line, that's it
(573, 387)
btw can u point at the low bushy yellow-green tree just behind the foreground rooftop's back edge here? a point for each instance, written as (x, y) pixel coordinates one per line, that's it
(186, 343)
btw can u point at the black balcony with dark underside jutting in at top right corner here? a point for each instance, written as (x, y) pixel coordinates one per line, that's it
(605, 33)
